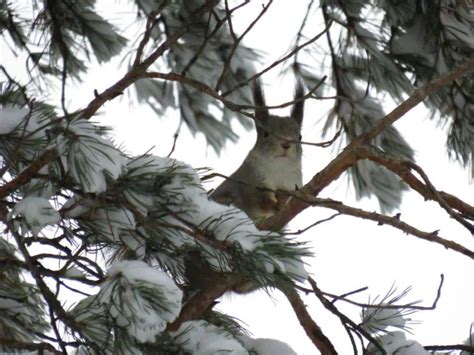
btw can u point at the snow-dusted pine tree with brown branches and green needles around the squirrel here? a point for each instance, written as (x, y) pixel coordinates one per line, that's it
(117, 234)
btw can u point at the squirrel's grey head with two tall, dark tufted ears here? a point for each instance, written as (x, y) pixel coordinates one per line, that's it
(278, 137)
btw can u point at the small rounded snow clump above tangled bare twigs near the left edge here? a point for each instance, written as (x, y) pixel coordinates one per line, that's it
(37, 212)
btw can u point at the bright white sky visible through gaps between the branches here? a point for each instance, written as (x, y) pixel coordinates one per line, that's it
(349, 253)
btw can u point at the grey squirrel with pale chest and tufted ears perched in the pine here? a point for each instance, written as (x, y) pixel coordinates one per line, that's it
(257, 187)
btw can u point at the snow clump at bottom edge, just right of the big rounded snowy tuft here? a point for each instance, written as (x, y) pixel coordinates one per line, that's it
(201, 338)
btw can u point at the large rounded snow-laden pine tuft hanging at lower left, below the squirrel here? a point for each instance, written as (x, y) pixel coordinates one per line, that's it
(140, 298)
